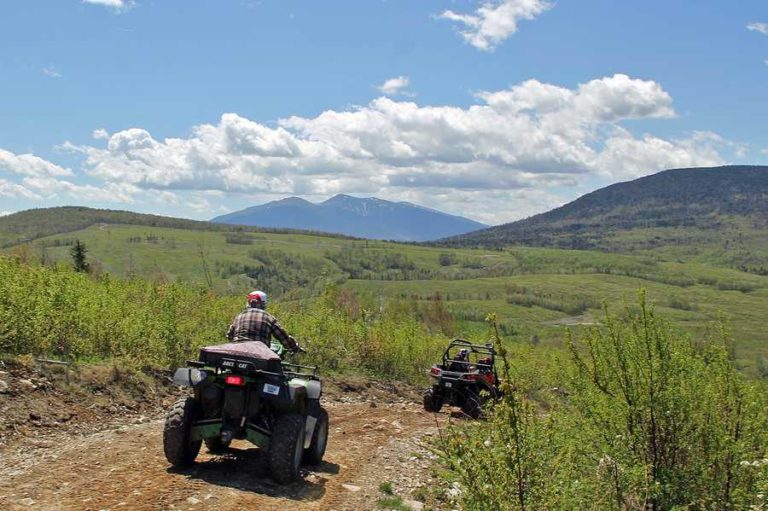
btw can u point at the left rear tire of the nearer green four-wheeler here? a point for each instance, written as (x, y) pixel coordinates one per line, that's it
(179, 449)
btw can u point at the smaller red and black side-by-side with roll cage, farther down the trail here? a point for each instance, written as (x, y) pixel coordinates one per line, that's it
(466, 378)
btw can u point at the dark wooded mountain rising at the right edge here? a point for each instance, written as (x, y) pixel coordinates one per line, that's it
(699, 204)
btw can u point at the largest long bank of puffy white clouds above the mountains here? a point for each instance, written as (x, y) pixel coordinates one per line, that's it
(515, 142)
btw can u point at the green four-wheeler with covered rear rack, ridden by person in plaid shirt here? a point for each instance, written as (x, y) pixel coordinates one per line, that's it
(246, 391)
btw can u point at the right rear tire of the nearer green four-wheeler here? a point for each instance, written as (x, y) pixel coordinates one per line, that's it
(286, 448)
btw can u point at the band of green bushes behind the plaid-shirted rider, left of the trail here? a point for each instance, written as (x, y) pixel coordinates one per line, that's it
(59, 312)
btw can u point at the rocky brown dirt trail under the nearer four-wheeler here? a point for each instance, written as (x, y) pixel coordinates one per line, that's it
(124, 468)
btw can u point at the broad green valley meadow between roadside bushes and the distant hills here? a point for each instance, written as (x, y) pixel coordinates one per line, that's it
(535, 292)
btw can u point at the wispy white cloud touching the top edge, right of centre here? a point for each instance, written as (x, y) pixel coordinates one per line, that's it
(495, 21)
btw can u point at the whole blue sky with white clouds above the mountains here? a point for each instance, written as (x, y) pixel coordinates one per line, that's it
(495, 110)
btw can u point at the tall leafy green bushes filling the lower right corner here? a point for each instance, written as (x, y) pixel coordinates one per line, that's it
(645, 418)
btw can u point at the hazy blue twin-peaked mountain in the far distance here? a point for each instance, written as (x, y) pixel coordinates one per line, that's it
(366, 218)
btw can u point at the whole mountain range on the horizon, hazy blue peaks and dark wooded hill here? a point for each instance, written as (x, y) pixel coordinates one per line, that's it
(720, 209)
